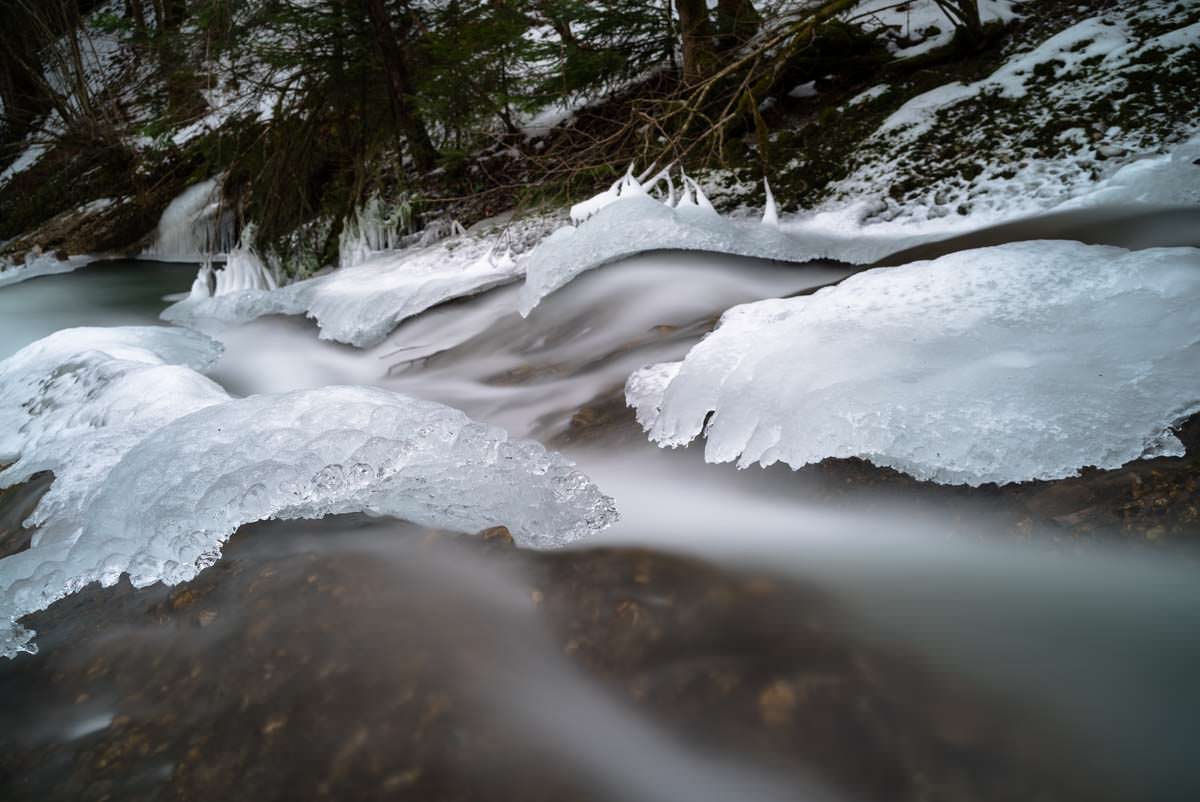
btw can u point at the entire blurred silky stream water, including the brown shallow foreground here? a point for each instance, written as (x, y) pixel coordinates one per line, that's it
(737, 636)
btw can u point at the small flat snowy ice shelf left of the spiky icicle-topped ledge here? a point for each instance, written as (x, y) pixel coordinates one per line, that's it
(362, 304)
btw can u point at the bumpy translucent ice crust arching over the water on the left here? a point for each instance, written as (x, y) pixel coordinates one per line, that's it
(155, 466)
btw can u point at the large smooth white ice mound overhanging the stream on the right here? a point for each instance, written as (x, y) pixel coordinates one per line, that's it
(1004, 364)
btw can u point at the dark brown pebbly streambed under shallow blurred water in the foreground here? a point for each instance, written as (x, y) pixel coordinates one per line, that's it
(346, 661)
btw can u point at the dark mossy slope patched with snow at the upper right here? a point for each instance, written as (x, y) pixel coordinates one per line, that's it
(1058, 119)
